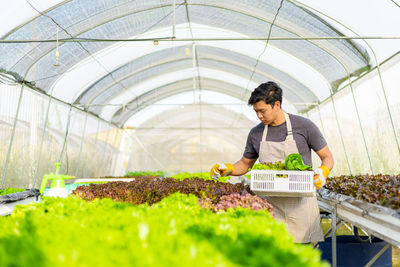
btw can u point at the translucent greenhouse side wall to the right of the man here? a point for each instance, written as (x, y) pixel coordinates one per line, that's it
(369, 138)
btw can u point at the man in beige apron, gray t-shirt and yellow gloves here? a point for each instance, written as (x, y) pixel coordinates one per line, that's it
(278, 135)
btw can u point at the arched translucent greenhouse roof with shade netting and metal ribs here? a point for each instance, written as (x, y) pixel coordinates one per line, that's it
(134, 54)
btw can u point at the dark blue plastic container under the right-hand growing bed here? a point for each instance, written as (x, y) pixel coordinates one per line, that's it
(351, 253)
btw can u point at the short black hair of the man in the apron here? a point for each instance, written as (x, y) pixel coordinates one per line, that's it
(270, 92)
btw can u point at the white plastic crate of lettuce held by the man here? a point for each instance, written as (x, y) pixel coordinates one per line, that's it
(282, 183)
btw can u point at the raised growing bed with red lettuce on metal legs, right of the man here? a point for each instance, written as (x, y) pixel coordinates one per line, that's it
(369, 202)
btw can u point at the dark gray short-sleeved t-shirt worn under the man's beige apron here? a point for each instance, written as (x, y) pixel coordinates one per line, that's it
(305, 133)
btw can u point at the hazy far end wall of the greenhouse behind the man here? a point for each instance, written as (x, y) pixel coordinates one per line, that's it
(191, 150)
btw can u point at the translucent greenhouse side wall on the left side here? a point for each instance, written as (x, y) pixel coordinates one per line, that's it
(47, 131)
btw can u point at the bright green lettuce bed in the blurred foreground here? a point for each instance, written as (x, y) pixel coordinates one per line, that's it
(173, 232)
